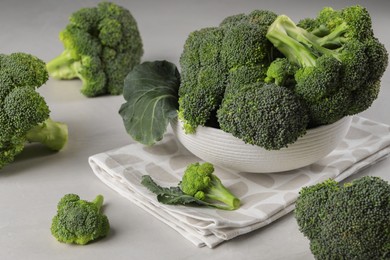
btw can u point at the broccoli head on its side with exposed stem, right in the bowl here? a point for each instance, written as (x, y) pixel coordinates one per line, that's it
(340, 62)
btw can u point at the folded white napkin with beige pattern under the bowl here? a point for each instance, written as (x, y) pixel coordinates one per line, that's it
(265, 197)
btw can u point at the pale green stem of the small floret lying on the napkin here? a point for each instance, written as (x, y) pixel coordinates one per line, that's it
(218, 192)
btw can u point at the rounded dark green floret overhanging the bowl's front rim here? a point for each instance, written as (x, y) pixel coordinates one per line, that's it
(262, 114)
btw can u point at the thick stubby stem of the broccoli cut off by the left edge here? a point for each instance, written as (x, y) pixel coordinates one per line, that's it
(53, 135)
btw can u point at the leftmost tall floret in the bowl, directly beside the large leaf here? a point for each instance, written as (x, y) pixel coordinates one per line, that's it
(203, 87)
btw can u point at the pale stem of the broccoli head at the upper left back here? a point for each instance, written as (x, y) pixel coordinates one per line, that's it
(64, 66)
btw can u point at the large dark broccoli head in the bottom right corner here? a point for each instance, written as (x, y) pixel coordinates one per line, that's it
(347, 222)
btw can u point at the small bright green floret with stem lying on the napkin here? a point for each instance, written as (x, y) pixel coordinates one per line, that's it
(199, 181)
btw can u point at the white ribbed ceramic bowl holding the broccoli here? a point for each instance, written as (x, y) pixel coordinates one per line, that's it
(223, 149)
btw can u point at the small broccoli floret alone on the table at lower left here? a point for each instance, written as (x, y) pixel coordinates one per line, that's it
(78, 221)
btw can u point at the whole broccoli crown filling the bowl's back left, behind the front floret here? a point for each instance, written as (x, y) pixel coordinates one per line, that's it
(234, 53)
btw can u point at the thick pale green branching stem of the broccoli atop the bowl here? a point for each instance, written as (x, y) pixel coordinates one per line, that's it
(300, 46)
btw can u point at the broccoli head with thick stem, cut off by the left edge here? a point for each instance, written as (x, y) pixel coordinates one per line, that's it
(24, 114)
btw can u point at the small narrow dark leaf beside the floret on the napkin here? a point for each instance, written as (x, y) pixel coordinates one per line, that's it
(171, 195)
